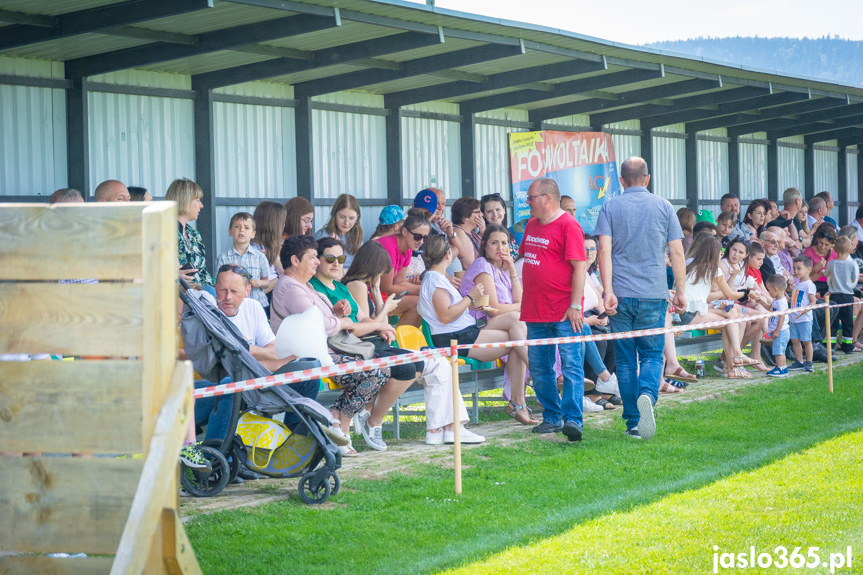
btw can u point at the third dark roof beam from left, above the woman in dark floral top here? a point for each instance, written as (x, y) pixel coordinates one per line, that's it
(321, 58)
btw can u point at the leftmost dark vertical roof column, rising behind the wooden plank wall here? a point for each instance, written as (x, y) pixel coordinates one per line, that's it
(78, 136)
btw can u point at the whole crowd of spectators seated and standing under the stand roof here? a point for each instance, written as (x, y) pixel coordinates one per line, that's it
(476, 279)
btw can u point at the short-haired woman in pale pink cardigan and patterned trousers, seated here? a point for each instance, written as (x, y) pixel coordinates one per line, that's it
(294, 294)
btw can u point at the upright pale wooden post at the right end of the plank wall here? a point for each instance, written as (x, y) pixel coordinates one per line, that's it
(160, 311)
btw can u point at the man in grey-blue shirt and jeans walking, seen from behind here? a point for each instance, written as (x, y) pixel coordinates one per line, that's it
(634, 229)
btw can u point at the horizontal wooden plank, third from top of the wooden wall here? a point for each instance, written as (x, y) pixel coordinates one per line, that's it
(71, 406)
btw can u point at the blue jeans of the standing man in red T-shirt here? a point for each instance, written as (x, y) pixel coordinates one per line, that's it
(556, 409)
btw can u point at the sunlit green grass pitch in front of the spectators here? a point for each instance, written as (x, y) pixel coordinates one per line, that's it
(525, 494)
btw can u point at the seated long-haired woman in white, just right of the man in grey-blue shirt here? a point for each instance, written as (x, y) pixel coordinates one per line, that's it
(702, 270)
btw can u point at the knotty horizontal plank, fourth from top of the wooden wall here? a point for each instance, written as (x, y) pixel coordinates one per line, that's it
(65, 504)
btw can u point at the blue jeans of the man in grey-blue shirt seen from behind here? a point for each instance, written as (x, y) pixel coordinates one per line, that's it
(640, 352)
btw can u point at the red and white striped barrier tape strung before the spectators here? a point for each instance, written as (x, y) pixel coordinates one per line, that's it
(367, 364)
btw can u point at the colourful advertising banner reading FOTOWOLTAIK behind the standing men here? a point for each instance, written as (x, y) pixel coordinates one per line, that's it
(582, 164)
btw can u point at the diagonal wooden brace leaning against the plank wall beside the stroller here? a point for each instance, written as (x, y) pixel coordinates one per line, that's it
(153, 490)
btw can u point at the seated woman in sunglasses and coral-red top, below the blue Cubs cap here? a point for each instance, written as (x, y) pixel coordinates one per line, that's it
(400, 247)
